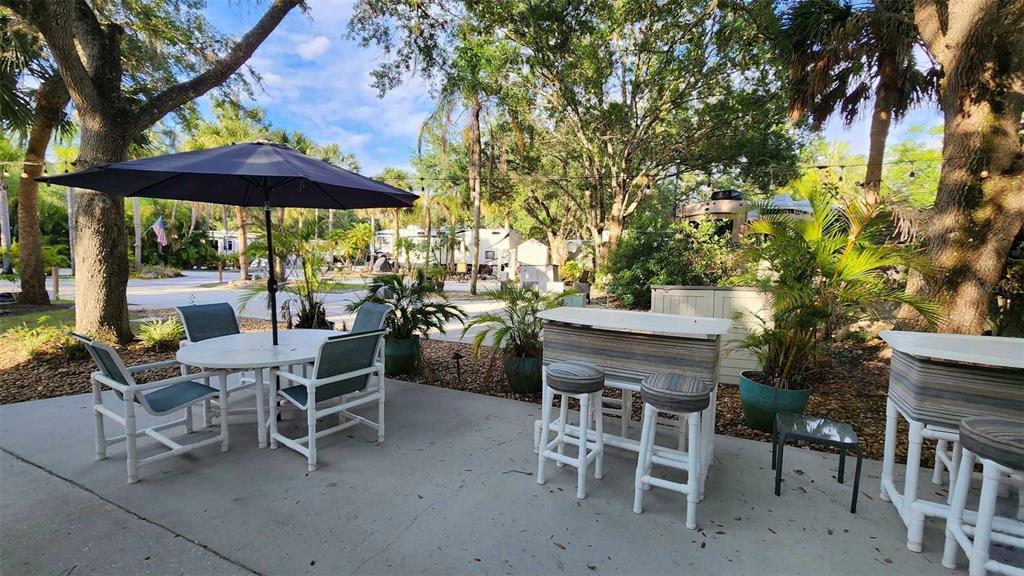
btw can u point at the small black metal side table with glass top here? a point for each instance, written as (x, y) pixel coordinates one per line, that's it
(815, 430)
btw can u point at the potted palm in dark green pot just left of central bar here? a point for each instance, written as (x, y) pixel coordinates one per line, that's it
(517, 332)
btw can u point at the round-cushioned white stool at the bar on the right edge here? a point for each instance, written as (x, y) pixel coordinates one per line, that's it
(999, 443)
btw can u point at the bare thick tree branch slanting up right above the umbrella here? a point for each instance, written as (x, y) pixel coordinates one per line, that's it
(175, 97)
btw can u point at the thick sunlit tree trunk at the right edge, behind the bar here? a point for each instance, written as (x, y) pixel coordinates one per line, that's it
(979, 207)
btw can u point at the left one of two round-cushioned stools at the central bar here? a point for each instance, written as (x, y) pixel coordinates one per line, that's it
(583, 382)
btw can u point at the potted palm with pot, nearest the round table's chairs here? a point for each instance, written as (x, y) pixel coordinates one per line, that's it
(418, 308)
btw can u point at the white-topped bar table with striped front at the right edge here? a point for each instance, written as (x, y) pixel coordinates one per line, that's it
(935, 382)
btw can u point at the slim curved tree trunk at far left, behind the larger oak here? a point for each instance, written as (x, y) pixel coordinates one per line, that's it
(52, 99)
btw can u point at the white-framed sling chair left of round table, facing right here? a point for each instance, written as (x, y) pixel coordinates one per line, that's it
(161, 398)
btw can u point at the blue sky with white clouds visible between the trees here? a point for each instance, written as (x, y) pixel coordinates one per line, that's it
(317, 81)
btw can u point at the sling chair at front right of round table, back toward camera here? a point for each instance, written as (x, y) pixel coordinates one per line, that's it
(350, 368)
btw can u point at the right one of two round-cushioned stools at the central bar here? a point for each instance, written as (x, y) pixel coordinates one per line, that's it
(687, 396)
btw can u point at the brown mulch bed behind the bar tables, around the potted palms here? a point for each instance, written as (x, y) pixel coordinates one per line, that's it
(851, 388)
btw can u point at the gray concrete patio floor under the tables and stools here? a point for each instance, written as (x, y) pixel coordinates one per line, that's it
(451, 491)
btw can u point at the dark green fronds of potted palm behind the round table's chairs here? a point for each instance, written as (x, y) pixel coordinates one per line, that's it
(419, 306)
